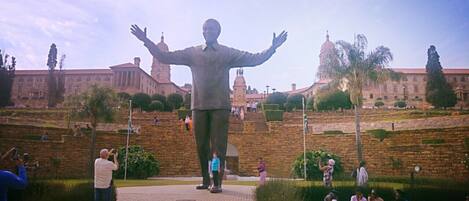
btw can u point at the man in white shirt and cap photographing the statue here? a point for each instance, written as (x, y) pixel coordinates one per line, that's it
(103, 175)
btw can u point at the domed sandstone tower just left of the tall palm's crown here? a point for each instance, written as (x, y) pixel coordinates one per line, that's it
(327, 53)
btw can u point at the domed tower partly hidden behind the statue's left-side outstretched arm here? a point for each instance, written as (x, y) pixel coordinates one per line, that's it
(159, 71)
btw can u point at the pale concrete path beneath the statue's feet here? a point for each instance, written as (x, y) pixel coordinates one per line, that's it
(184, 193)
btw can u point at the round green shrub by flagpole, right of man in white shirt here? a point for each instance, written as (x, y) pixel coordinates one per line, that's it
(140, 165)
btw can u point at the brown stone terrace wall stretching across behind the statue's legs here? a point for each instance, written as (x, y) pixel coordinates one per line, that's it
(175, 149)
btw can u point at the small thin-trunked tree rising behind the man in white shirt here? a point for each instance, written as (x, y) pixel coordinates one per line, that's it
(95, 105)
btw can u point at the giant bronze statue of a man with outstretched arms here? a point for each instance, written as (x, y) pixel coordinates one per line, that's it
(210, 64)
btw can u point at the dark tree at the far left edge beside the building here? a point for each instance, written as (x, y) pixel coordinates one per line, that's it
(7, 73)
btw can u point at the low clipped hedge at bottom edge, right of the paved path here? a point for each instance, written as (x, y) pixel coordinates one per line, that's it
(277, 190)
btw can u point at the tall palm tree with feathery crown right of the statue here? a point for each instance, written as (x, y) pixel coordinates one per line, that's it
(351, 68)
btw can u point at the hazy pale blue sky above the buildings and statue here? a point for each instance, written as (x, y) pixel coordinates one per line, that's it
(95, 33)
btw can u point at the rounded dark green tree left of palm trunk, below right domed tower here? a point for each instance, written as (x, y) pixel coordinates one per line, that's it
(334, 101)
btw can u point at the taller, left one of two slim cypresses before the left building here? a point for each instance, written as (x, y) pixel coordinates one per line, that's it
(51, 79)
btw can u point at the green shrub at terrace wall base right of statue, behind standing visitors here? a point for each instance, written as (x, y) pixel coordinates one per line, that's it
(312, 169)
